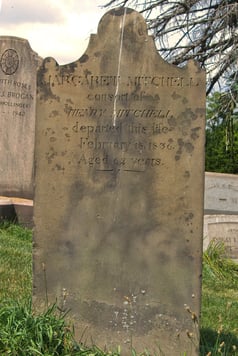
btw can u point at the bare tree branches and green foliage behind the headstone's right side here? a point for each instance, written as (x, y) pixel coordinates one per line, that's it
(207, 32)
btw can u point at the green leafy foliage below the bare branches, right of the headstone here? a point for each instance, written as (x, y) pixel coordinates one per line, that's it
(222, 131)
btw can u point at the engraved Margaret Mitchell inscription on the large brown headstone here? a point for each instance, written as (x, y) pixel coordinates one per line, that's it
(136, 137)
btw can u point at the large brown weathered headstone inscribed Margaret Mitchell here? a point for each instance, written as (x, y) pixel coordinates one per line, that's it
(118, 207)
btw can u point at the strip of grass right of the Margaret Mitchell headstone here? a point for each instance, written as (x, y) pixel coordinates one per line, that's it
(219, 314)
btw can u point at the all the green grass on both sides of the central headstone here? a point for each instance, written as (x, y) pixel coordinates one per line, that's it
(24, 333)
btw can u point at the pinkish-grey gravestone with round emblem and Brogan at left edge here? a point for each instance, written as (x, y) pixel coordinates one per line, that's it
(18, 66)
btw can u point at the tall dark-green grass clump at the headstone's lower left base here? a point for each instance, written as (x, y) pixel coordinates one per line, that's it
(24, 333)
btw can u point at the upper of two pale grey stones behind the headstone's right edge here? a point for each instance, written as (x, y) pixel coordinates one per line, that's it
(221, 193)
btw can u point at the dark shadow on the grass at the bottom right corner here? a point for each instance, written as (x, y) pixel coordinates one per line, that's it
(217, 343)
